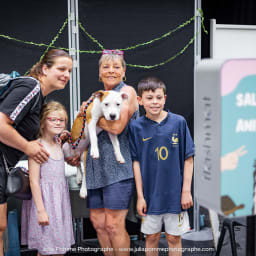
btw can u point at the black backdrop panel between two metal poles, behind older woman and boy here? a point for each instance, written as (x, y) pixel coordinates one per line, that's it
(133, 22)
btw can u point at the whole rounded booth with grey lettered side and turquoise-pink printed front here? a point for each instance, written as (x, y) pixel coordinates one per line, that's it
(225, 136)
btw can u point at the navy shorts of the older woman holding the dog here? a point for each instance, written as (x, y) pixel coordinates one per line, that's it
(116, 196)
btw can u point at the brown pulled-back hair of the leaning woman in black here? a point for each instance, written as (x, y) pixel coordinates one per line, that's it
(48, 60)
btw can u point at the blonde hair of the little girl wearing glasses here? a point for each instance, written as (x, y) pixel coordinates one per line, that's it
(47, 109)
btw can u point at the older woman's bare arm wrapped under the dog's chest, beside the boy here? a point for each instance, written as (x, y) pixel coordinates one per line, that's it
(128, 108)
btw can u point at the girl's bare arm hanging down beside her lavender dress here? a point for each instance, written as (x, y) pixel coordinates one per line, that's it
(34, 178)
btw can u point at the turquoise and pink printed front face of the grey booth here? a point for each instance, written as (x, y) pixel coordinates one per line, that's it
(238, 137)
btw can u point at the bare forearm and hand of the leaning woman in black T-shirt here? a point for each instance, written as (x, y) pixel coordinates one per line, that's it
(10, 137)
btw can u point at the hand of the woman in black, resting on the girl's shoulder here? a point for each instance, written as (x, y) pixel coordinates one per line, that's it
(36, 151)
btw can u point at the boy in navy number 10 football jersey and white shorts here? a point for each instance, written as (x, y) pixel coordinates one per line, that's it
(162, 151)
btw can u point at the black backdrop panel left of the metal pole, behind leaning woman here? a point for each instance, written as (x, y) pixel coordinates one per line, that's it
(36, 21)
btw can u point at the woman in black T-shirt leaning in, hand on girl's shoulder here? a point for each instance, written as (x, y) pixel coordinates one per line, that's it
(20, 117)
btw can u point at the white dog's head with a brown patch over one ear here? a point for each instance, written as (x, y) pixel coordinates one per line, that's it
(111, 103)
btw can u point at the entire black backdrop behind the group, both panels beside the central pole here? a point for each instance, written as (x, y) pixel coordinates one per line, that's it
(116, 24)
